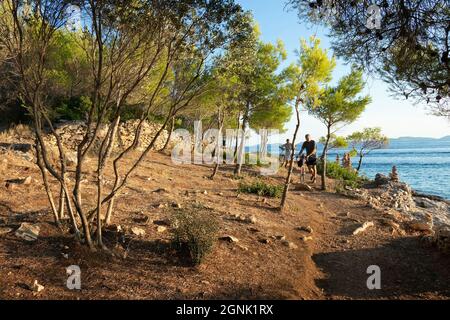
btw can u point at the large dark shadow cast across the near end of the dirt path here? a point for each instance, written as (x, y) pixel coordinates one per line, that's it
(408, 268)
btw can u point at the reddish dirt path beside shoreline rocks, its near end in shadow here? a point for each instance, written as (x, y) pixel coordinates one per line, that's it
(409, 268)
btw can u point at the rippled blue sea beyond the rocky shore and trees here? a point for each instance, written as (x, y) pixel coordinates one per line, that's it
(423, 163)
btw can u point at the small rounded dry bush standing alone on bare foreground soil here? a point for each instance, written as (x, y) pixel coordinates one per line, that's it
(195, 232)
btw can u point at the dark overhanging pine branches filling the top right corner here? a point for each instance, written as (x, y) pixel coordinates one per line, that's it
(409, 48)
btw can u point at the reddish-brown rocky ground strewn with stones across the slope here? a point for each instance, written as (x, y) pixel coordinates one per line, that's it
(319, 248)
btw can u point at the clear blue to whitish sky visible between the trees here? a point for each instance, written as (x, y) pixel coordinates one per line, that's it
(396, 117)
